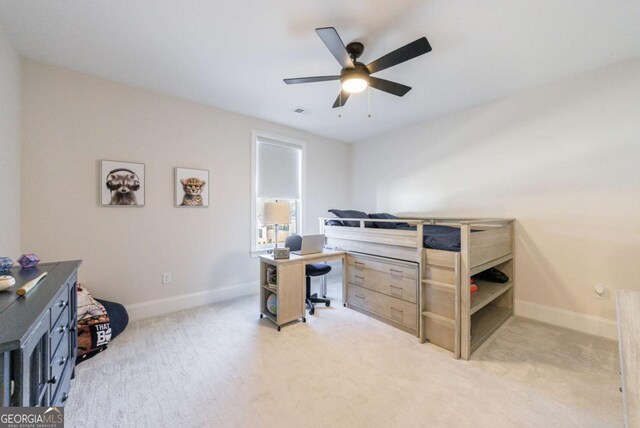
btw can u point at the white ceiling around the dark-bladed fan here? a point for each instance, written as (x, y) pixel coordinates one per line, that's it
(234, 54)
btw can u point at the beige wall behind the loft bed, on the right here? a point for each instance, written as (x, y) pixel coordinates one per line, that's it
(563, 159)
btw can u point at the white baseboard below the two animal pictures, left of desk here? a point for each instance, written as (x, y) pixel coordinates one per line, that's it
(153, 308)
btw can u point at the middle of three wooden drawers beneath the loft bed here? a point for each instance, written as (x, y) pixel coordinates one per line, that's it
(390, 284)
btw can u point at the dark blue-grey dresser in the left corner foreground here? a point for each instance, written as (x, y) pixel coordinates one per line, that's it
(38, 336)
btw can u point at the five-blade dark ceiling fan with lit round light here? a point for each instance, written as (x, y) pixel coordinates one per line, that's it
(355, 76)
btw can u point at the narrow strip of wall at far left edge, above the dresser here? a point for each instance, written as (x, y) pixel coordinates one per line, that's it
(9, 150)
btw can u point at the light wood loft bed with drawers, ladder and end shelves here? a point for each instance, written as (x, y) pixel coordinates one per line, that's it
(410, 272)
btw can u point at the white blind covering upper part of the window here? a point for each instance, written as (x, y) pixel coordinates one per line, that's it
(278, 170)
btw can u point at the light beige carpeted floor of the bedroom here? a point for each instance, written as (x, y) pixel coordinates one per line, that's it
(221, 366)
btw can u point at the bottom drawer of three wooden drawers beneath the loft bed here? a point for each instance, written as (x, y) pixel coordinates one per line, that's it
(386, 306)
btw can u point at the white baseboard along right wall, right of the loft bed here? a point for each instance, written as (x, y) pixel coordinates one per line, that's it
(561, 317)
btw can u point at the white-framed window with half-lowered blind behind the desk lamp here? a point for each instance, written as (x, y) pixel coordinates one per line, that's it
(277, 175)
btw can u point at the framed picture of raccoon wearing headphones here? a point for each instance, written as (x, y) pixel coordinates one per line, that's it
(122, 184)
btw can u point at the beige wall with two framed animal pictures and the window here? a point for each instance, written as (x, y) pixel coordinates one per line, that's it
(71, 120)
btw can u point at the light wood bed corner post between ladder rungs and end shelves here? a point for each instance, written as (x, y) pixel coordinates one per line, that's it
(465, 294)
